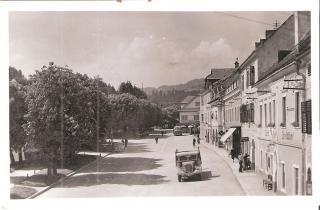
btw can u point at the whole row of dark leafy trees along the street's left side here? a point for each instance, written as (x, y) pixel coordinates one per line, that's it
(57, 110)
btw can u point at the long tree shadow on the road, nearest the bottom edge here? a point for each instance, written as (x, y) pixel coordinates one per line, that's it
(111, 178)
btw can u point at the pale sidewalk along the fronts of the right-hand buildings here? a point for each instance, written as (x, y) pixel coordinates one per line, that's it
(250, 181)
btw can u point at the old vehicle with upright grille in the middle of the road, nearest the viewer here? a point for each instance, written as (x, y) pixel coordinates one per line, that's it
(188, 164)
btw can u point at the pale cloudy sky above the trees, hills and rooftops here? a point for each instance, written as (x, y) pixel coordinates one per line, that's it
(153, 48)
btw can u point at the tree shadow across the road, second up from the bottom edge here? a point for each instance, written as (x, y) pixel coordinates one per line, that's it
(125, 164)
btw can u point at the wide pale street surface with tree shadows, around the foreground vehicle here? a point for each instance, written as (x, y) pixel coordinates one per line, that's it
(148, 169)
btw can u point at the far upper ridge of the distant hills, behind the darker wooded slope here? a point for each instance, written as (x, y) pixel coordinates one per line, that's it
(192, 85)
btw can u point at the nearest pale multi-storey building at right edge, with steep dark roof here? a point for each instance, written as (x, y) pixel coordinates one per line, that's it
(271, 105)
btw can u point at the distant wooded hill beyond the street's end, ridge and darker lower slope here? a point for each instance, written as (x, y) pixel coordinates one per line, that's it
(168, 95)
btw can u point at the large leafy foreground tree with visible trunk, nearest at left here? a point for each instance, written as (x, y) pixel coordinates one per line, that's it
(63, 108)
